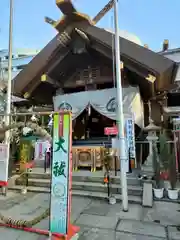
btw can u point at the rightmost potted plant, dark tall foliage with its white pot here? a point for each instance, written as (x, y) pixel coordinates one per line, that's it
(172, 191)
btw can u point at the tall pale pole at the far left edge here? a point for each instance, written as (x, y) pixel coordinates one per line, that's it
(8, 100)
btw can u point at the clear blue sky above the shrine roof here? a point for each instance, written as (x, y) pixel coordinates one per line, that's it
(151, 20)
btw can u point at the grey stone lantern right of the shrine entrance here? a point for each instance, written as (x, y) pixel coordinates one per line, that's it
(152, 130)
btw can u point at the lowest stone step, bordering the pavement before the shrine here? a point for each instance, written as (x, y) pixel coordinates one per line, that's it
(97, 195)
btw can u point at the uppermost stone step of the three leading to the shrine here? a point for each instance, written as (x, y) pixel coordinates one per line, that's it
(98, 177)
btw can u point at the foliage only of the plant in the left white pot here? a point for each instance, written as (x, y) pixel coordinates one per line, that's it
(156, 166)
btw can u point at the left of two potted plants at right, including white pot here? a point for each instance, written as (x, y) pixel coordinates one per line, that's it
(158, 189)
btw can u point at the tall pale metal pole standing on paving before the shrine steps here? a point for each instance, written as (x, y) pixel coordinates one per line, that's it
(123, 156)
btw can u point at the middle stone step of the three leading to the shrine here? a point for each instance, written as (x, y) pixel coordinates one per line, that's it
(86, 186)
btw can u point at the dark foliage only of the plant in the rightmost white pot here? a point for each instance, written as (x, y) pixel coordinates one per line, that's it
(172, 171)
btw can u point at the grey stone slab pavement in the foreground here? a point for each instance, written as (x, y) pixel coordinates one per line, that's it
(97, 219)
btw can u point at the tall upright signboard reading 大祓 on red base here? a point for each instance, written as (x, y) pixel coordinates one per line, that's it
(61, 168)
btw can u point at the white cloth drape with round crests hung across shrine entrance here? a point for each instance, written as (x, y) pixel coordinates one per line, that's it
(104, 102)
